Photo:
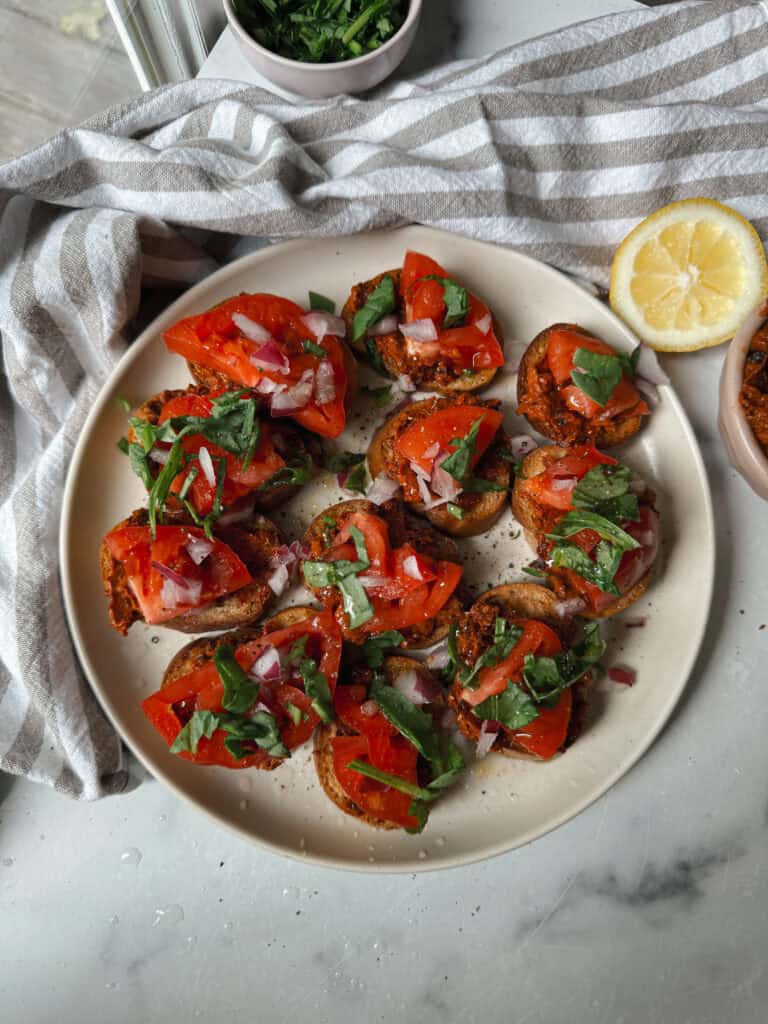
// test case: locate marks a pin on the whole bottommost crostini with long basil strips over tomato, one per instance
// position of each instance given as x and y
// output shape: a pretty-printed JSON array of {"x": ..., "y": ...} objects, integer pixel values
[{"x": 382, "y": 761}]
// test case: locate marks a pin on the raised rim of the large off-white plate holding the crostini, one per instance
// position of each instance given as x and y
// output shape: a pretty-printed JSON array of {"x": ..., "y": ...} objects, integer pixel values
[{"x": 445, "y": 862}]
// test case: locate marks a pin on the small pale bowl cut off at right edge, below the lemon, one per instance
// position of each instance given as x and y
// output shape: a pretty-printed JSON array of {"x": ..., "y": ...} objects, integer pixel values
[{"x": 743, "y": 447}]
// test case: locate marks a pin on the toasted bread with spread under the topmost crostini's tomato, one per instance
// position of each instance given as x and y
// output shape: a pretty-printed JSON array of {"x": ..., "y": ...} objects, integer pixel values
[{"x": 389, "y": 354}]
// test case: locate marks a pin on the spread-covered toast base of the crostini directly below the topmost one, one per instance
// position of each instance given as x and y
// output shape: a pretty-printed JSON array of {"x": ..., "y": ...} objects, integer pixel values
[{"x": 481, "y": 510}]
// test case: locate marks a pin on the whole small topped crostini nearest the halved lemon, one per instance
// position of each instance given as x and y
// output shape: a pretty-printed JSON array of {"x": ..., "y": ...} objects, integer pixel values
[{"x": 575, "y": 389}]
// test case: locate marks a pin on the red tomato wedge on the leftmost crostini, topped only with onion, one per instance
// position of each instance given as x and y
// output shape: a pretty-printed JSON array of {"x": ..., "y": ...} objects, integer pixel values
[{"x": 159, "y": 594}]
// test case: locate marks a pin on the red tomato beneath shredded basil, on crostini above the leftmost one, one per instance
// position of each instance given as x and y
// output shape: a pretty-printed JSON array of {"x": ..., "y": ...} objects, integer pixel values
[{"x": 239, "y": 482}]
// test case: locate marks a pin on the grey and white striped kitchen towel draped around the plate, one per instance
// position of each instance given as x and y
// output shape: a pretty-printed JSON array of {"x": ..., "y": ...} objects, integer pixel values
[{"x": 557, "y": 147}]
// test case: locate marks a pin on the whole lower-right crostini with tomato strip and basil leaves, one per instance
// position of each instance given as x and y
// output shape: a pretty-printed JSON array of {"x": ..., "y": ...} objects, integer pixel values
[{"x": 521, "y": 675}]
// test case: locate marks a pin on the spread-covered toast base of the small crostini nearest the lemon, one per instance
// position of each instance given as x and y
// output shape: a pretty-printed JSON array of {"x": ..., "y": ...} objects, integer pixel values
[{"x": 549, "y": 415}]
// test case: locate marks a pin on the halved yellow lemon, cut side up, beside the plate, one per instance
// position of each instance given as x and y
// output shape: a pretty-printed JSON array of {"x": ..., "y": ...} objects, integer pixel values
[{"x": 689, "y": 276}]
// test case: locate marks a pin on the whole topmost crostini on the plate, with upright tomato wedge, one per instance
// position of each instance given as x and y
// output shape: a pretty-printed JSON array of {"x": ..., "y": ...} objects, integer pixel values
[{"x": 420, "y": 324}]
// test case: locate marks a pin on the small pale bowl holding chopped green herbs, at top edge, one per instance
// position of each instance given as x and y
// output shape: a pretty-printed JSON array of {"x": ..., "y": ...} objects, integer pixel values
[{"x": 321, "y": 80}]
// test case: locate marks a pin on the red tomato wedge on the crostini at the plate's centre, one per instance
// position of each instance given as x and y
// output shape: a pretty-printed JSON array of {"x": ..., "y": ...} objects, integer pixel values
[{"x": 399, "y": 600}]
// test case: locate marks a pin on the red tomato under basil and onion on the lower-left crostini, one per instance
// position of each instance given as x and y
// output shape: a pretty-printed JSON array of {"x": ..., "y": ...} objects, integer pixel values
[{"x": 173, "y": 706}]
